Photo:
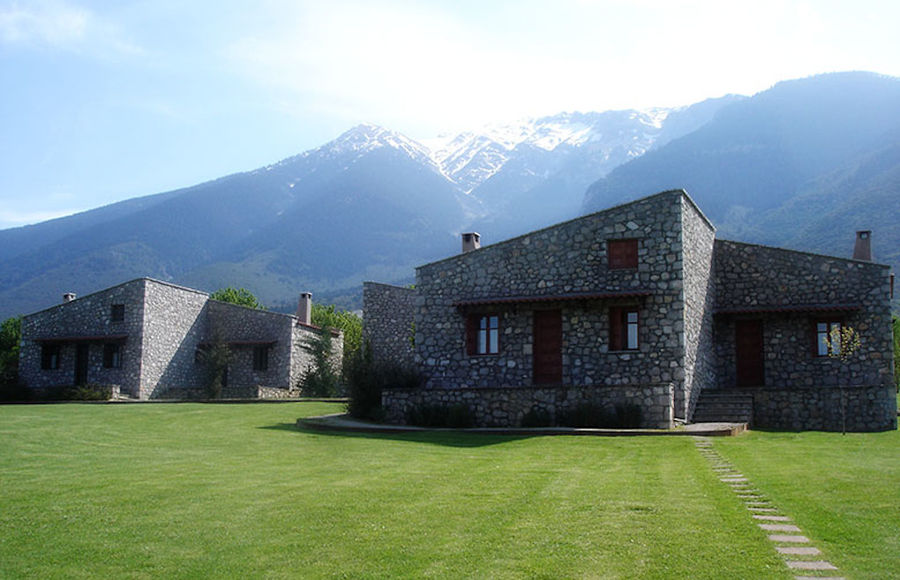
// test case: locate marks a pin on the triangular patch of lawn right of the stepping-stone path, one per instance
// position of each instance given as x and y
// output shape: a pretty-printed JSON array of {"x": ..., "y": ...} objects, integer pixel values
[{"x": 842, "y": 490}]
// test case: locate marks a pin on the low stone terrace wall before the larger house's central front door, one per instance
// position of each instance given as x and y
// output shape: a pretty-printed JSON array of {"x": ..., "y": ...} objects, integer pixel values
[{"x": 505, "y": 406}]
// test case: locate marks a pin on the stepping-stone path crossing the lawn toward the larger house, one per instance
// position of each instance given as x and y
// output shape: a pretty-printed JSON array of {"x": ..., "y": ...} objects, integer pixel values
[{"x": 788, "y": 539}]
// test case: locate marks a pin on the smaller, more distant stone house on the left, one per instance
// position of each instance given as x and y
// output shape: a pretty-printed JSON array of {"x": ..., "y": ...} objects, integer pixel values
[{"x": 147, "y": 340}]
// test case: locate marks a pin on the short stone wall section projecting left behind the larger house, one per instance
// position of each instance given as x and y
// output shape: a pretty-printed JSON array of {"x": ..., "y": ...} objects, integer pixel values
[{"x": 388, "y": 316}]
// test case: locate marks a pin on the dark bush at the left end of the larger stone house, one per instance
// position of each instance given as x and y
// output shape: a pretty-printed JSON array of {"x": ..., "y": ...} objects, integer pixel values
[{"x": 365, "y": 379}]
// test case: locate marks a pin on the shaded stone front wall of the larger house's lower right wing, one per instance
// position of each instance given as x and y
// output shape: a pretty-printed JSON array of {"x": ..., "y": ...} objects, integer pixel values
[{"x": 750, "y": 276}]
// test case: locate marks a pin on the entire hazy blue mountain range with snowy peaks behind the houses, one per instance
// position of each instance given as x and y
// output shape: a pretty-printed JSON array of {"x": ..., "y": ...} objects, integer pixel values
[{"x": 788, "y": 166}]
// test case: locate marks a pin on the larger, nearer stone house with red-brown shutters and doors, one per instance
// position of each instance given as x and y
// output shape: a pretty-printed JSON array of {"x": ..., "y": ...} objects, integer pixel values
[{"x": 640, "y": 304}]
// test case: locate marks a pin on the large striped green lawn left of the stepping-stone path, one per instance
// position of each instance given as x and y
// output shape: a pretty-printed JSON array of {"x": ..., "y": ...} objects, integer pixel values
[{"x": 224, "y": 491}]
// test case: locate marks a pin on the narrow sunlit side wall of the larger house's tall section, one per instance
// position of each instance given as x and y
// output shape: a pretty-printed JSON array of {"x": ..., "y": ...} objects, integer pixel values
[{"x": 698, "y": 239}]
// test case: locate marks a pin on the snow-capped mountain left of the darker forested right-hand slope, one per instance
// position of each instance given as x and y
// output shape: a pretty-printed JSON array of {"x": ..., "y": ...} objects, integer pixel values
[{"x": 372, "y": 204}]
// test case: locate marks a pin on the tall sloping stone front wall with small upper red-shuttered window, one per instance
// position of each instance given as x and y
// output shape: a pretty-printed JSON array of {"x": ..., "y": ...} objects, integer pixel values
[{"x": 566, "y": 258}]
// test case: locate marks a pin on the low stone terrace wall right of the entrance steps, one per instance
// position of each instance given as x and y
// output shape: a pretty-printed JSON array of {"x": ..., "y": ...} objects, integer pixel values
[{"x": 866, "y": 408}]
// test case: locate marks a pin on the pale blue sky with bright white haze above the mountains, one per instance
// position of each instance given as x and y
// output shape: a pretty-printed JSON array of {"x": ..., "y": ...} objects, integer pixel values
[{"x": 103, "y": 101}]
